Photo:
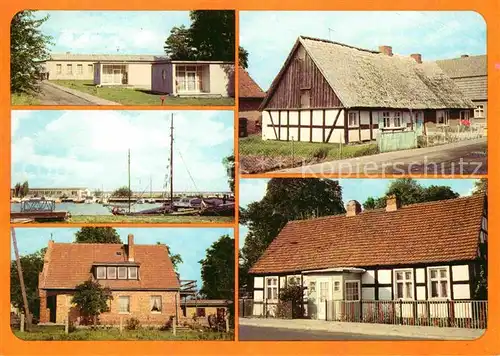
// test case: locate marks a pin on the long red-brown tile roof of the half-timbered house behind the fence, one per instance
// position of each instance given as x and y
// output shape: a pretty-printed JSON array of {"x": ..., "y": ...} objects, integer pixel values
[{"x": 440, "y": 231}]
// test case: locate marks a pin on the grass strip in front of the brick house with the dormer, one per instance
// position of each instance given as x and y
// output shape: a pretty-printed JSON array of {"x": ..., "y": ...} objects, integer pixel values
[{"x": 57, "y": 333}]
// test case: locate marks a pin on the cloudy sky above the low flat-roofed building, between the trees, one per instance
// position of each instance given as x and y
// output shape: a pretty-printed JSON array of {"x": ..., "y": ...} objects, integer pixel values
[{"x": 125, "y": 32}]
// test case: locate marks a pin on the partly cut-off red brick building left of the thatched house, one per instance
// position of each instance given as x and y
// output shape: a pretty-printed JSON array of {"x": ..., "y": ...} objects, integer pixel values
[{"x": 250, "y": 97}]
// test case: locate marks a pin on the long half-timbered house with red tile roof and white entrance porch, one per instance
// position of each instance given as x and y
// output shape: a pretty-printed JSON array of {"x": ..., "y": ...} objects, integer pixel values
[{"x": 426, "y": 255}]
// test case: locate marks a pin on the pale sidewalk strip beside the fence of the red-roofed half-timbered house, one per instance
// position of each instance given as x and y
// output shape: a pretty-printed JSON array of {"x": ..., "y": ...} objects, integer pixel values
[{"x": 430, "y": 332}]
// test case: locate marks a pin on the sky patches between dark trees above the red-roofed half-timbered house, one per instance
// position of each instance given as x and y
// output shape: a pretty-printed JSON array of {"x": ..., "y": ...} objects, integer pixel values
[{"x": 352, "y": 189}]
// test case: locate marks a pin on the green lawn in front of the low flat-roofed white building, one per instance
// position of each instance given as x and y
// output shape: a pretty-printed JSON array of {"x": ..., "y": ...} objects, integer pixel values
[{"x": 129, "y": 96}]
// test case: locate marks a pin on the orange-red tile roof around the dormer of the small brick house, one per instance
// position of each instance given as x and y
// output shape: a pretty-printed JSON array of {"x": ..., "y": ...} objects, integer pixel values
[{"x": 69, "y": 264}]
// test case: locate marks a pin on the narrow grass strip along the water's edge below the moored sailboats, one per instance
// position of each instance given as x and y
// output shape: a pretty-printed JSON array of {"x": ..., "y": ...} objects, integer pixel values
[{"x": 103, "y": 219}]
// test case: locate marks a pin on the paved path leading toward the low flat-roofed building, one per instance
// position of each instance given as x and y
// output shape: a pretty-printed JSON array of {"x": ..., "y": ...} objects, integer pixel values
[{"x": 54, "y": 94}]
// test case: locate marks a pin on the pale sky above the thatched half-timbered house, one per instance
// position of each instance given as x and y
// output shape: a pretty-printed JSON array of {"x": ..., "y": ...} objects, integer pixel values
[{"x": 269, "y": 36}]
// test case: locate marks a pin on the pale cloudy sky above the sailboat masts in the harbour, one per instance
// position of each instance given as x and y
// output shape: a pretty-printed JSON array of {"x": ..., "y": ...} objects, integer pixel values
[{"x": 89, "y": 148}]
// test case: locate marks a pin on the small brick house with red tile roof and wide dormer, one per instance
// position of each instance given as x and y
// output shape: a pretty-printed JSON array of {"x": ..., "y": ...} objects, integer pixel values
[{"x": 142, "y": 279}]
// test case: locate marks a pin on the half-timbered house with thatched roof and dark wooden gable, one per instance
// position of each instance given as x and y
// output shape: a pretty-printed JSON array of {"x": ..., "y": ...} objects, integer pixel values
[{"x": 331, "y": 92}]
